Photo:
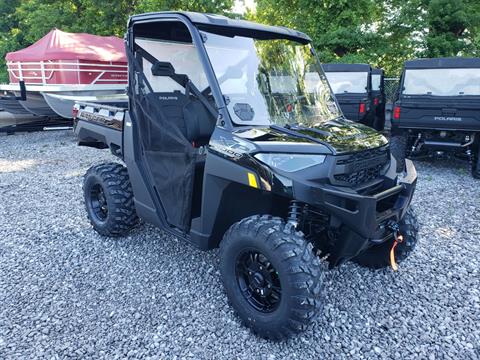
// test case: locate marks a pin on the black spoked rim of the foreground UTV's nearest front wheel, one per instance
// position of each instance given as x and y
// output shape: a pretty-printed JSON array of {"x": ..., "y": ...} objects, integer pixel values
[{"x": 258, "y": 281}]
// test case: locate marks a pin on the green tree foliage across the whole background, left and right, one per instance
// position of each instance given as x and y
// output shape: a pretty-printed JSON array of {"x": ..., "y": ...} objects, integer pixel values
[{"x": 383, "y": 33}]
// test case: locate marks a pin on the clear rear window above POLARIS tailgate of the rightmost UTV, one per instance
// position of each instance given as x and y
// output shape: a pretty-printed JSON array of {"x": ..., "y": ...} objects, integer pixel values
[{"x": 442, "y": 82}]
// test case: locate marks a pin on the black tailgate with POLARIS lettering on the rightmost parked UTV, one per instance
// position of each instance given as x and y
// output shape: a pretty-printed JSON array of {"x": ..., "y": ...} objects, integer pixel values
[{"x": 446, "y": 113}]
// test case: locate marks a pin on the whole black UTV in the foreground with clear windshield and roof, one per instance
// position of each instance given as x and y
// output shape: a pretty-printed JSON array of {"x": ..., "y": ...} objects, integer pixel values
[{"x": 222, "y": 151}]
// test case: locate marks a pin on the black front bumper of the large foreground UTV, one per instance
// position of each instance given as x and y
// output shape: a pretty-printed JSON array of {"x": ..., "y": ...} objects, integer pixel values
[{"x": 361, "y": 219}]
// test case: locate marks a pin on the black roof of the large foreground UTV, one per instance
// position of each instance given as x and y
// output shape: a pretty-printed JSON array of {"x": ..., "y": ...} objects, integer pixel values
[{"x": 225, "y": 26}]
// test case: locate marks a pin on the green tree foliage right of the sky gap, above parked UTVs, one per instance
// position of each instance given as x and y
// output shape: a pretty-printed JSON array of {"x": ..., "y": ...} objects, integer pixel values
[{"x": 383, "y": 33}]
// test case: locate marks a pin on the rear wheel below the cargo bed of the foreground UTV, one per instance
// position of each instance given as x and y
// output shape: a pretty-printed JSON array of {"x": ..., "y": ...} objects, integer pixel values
[{"x": 109, "y": 199}]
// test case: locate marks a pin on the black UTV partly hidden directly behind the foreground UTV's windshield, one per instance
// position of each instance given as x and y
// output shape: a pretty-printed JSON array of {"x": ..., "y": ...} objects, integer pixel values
[{"x": 352, "y": 86}]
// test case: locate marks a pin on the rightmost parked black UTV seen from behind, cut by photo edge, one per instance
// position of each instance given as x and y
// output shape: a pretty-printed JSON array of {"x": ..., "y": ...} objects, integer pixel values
[{"x": 437, "y": 110}]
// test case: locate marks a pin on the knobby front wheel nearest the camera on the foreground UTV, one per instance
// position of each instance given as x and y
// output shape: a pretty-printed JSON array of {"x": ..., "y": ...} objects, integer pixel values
[{"x": 271, "y": 275}]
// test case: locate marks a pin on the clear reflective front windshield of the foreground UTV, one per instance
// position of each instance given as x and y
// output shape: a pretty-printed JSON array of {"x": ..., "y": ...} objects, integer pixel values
[{"x": 270, "y": 81}]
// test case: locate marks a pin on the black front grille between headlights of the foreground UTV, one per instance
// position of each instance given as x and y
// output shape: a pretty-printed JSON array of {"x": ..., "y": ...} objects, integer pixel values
[{"x": 362, "y": 167}]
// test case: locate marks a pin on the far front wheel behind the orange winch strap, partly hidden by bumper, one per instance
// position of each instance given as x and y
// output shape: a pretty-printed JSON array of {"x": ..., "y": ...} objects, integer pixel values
[{"x": 378, "y": 256}]
